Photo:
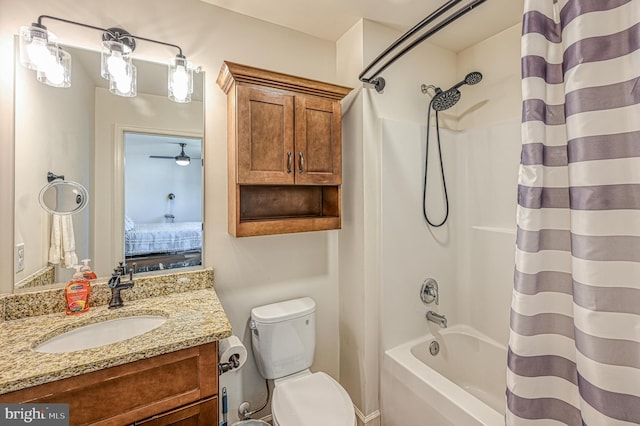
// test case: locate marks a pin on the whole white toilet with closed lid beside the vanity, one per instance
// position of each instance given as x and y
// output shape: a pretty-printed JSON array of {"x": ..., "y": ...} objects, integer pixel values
[{"x": 284, "y": 339}]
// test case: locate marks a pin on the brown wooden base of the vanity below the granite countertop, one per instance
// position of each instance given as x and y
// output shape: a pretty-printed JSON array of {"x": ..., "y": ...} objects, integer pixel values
[{"x": 177, "y": 388}]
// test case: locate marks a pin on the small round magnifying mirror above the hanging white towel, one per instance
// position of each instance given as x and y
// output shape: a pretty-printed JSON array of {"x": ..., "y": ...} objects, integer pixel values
[{"x": 63, "y": 197}]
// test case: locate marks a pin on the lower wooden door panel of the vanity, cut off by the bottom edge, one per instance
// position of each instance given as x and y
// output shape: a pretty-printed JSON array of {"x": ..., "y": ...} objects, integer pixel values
[{"x": 203, "y": 413}]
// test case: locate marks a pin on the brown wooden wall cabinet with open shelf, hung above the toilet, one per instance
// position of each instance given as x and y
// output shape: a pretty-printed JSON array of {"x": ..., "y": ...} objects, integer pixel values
[{"x": 284, "y": 151}]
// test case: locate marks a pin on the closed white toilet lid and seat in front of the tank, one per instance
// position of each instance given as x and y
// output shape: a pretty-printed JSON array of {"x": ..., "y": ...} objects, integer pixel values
[{"x": 312, "y": 400}]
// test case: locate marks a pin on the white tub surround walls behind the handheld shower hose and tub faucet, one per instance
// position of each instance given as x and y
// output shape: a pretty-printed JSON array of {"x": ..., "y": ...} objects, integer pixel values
[{"x": 471, "y": 256}]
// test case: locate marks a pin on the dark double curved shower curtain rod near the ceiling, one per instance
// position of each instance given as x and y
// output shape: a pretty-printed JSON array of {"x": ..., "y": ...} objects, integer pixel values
[{"x": 378, "y": 82}]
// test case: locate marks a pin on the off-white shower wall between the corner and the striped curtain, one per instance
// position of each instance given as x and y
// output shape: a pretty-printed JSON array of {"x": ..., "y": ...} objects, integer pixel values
[{"x": 489, "y": 147}]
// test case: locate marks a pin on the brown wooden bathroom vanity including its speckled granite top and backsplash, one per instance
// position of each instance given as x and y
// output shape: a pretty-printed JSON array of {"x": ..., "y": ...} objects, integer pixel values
[{"x": 168, "y": 375}]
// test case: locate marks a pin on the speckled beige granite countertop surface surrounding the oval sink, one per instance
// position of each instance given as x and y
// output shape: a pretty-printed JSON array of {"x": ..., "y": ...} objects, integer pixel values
[{"x": 194, "y": 317}]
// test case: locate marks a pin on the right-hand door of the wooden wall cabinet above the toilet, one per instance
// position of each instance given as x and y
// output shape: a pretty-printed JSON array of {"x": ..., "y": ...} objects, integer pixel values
[{"x": 318, "y": 141}]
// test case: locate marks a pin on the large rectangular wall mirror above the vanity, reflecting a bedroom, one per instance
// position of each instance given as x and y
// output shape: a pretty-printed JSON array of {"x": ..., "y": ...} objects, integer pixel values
[{"x": 79, "y": 132}]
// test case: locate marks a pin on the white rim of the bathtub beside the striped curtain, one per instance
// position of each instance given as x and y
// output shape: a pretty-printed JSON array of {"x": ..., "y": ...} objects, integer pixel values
[{"x": 459, "y": 397}]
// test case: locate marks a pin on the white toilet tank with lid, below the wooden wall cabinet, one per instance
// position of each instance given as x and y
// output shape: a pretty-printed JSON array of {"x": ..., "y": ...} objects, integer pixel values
[{"x": 283, "y": 337}]
